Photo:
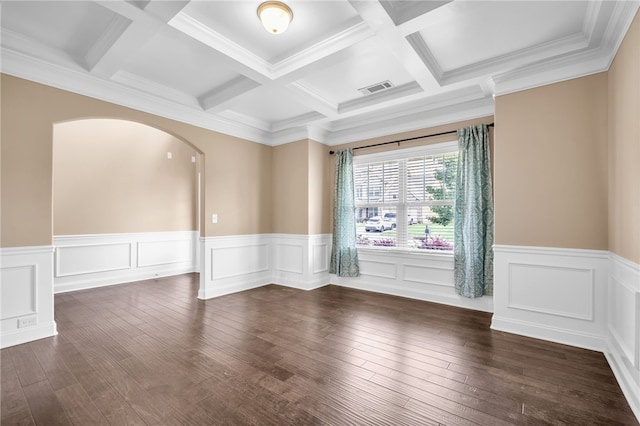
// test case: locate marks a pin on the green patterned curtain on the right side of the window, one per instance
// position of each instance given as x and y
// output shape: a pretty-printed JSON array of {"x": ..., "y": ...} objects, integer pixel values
[{"x": 473, "y": 215}]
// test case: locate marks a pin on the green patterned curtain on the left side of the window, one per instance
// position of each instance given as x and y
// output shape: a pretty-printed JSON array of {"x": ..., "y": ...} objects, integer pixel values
[{"x": 344, "y": 254}]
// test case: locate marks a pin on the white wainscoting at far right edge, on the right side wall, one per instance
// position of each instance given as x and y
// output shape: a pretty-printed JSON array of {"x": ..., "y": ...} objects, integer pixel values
[{"x": 623, "y": 338}]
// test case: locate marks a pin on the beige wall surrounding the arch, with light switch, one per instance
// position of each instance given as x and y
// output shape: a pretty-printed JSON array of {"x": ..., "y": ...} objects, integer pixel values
[{"x": 236, "y": 181}]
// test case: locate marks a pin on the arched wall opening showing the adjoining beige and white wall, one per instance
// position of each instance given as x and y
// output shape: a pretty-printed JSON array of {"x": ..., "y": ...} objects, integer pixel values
[{"x": 125, "y": 203}]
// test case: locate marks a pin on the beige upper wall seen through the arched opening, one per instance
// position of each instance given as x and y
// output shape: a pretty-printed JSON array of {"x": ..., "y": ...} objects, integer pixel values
[{"x": 113, "y": 176}]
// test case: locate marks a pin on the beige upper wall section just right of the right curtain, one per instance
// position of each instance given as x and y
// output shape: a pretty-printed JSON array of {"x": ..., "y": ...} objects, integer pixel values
[{"x": 551, "y": 165}]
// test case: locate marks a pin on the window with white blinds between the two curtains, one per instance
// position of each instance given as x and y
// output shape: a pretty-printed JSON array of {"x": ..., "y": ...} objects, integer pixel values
[{"x": 405, "y": 198}]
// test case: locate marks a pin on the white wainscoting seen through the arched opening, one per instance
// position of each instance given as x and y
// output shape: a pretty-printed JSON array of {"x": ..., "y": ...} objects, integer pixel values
[{"x": 87, "y": 261}]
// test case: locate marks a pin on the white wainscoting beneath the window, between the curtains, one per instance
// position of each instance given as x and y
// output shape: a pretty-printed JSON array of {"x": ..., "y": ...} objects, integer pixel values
[{"x": 419, "y": 275}]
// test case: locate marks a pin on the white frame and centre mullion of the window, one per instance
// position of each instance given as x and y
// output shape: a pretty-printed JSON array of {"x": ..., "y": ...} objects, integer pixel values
[{"x": 401, "y": 212}]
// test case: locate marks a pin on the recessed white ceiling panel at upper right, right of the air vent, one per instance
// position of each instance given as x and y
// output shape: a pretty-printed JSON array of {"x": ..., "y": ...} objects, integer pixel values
[{"x": 464, "y": 33}]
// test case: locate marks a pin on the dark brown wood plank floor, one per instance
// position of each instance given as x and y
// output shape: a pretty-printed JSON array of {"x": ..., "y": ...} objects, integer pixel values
[{"x": 151, "y": 353}]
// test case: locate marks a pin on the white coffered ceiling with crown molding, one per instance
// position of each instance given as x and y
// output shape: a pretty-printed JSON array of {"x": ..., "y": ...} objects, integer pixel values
[{"x": 212, "y": 64}]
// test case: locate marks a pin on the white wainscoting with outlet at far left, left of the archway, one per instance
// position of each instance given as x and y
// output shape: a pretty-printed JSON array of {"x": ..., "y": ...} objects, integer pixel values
[{"x": 26, "y": 293}]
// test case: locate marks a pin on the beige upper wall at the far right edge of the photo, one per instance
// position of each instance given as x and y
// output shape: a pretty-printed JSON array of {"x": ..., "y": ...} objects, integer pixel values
[{"x": 624, "y": 147}]
